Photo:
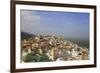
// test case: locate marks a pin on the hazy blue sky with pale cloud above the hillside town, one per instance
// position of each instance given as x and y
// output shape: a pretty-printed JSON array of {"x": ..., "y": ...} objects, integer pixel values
[{"x": 67, "y": 24}]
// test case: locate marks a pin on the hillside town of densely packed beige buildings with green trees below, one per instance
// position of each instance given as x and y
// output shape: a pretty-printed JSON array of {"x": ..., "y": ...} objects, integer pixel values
[{"x": 47, "y": 48}]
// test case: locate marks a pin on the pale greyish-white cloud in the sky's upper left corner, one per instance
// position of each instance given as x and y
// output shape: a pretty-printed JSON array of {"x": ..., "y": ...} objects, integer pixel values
[{"x": 29, "y": 19}]
